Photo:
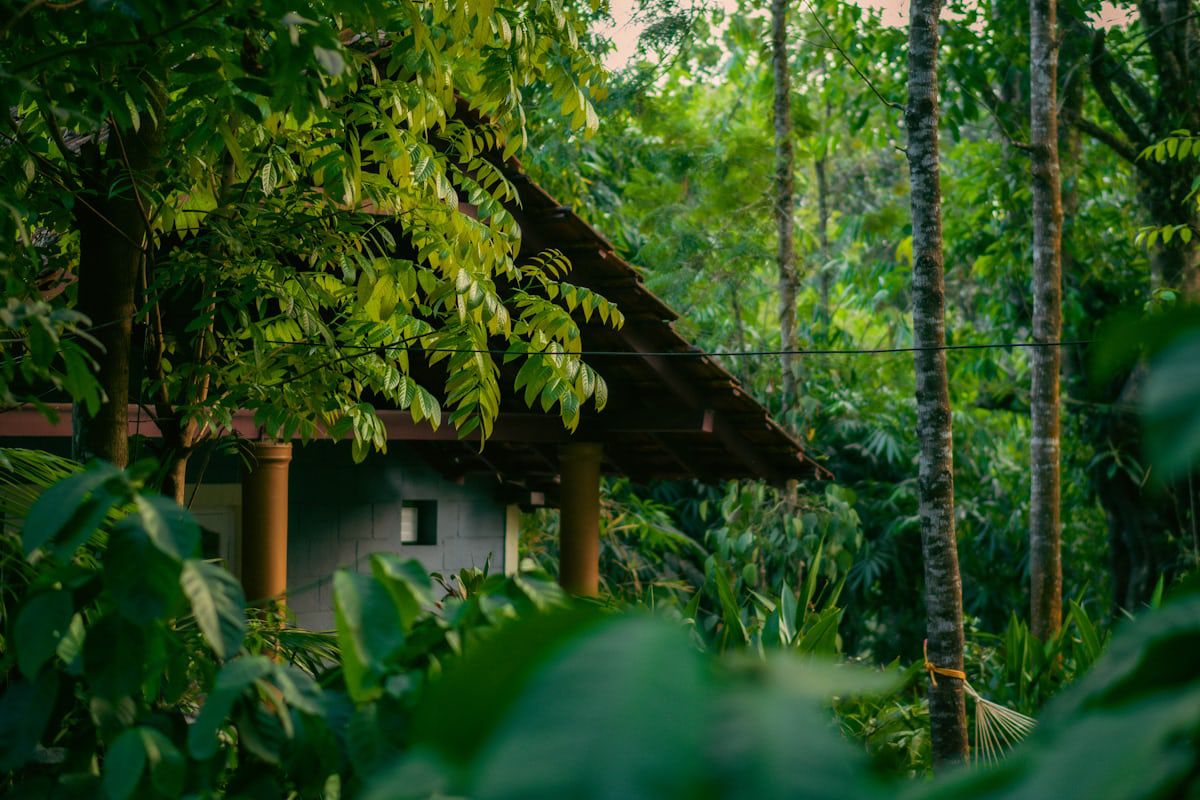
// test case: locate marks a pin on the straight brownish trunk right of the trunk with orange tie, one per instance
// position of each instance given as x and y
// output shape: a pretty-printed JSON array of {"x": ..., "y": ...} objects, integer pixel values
[{"x": 1046, "y": 527}]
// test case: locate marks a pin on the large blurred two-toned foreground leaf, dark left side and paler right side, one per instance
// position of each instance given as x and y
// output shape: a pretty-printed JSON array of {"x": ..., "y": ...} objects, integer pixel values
[{"x": 614, "y": 708}]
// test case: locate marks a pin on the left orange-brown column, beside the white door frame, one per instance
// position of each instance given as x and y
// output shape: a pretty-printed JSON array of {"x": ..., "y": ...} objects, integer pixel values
[{"x": 265, "y": 522}]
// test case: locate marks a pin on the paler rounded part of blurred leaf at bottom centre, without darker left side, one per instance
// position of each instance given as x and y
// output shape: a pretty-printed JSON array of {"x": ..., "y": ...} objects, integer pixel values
[{"x": 621, "y": 713}]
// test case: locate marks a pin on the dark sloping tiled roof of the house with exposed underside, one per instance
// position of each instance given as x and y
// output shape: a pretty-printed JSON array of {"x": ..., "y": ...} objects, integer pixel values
[{"x": 674, "y": 412}]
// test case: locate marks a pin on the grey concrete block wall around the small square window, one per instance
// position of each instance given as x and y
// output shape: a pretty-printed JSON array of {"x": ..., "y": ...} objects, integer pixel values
[{"x": 341, "y": 513}]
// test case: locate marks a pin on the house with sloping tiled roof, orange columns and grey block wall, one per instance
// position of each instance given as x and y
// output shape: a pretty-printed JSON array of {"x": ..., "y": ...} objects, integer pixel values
[{"x": 307, "y": 510}]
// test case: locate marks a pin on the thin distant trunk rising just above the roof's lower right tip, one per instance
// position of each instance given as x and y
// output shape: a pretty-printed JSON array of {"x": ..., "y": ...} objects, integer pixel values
[{"x": 785, "y": 191}]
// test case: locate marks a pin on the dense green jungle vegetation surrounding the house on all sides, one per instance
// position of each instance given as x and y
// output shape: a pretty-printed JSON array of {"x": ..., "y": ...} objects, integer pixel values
[{"x": 956, "y": 256}]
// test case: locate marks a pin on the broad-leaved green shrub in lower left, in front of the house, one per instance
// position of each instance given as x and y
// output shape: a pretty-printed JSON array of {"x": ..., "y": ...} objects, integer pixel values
[{"x": 130, "y": 667}]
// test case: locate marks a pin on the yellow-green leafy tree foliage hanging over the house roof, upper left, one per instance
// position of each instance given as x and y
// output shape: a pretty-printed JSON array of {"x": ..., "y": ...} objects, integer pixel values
[{"x": 329, "y": 228}]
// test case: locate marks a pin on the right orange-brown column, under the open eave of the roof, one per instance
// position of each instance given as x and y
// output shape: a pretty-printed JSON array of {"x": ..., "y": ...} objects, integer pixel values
[{"x": 579, "y": 530}]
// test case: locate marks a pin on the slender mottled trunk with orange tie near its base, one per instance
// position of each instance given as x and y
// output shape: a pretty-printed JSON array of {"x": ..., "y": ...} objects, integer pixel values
[{"x": 944, "y": 586}]
